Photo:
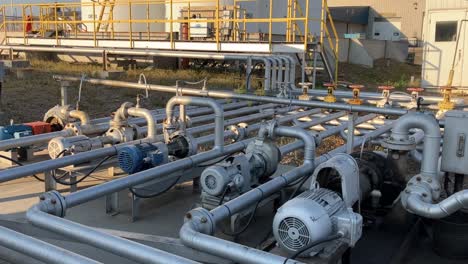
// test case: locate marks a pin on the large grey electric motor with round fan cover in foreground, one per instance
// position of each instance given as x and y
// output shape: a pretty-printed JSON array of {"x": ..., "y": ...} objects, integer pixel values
[{"x": 313, "y": 216}]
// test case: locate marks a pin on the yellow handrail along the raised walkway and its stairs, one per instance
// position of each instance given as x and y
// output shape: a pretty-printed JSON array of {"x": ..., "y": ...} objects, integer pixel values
[{"x": 297, "y": 19}]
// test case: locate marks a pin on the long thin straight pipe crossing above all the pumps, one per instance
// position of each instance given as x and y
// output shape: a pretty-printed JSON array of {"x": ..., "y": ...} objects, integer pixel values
[{"x": 231, "y": 95}]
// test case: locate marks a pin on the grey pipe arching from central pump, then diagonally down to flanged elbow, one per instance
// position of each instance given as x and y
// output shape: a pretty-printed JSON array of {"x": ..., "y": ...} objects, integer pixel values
[{"x": 201, "y": 223}]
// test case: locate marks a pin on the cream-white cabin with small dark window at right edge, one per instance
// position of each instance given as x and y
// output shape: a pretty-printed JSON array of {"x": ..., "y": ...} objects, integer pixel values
[{"x": 445, "y": 44}]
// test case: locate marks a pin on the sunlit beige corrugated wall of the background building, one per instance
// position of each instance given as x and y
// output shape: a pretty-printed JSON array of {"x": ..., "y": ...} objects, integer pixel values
[{"x": 410, "y": 11}]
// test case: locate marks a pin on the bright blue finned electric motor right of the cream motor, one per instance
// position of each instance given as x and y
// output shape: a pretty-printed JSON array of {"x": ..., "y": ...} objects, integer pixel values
[{"x": 136, "y": 158}]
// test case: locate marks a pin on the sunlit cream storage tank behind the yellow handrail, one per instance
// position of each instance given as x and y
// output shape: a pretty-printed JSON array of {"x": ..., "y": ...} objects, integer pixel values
[{"x": 139, "y": 11}]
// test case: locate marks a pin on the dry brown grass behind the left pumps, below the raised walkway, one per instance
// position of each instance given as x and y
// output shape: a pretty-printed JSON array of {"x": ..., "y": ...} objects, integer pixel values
[{"x": 28, "y": 99}]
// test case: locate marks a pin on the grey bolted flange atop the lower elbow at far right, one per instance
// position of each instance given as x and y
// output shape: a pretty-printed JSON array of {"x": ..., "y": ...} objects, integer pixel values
[{"x": 425, "y": 187}]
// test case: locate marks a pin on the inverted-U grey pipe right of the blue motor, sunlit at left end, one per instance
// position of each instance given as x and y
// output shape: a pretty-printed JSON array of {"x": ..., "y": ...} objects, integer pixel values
[{"x": 217, "y": 108}]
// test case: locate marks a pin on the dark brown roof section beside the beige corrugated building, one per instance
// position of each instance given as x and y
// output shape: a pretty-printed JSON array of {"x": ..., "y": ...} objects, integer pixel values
[{"x": 351, "y": 14}]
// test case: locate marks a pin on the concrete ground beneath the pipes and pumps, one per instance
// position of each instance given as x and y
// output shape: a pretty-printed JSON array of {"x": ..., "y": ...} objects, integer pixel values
[{"x": 161, "y": 218}]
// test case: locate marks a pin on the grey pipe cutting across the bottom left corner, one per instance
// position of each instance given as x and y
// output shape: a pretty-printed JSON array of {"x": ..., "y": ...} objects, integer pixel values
[{"x": 40, "y": 250}]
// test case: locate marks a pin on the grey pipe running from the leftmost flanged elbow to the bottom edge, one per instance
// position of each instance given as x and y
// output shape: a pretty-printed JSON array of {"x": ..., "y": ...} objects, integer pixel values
[{"x": 119, "y": 246}]
